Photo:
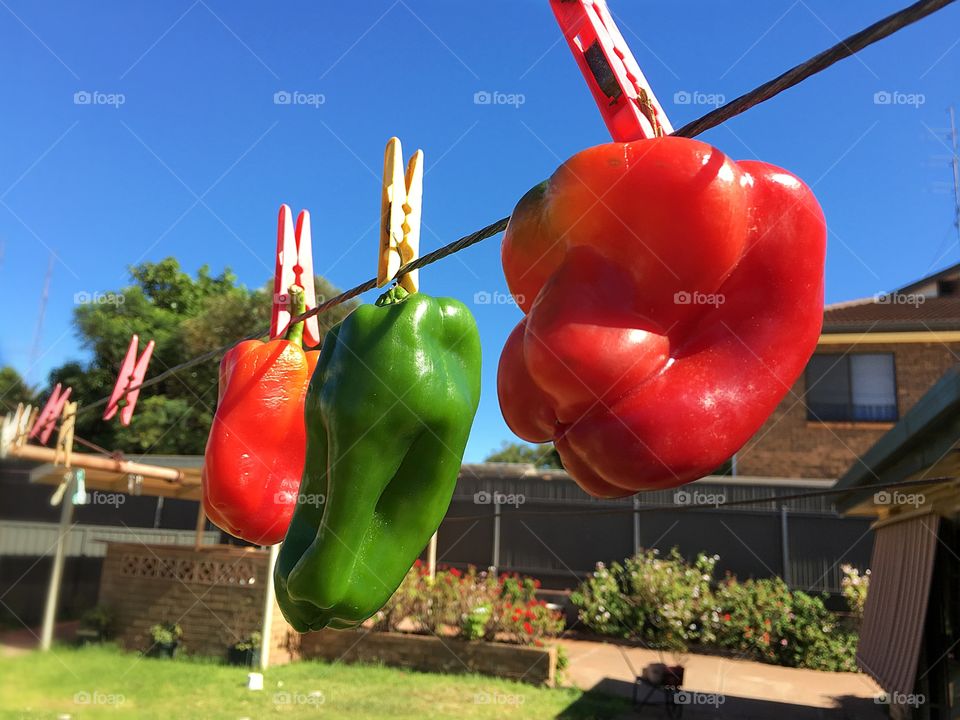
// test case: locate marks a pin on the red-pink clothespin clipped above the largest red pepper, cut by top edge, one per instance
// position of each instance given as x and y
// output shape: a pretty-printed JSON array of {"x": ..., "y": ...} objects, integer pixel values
[{"x": 626, "y": 101}]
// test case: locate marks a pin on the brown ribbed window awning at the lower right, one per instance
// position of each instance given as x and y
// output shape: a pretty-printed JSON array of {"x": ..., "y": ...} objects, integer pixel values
[{"x": 896, "y": 608}]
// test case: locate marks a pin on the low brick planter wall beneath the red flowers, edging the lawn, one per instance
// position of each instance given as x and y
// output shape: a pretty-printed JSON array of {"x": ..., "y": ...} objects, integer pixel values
[{"x": 429, "y": 653}]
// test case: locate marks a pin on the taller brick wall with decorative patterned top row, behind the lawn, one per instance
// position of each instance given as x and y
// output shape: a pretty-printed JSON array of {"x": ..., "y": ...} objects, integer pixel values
[{"x": 215, "y": 594}]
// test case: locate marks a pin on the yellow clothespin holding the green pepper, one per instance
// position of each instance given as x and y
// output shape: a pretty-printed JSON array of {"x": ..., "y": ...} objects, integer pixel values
[{"x": 400, "y": 211}]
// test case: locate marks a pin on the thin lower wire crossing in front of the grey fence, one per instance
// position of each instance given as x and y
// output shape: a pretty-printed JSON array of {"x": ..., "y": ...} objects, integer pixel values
[{"x": 691, "y": 506}]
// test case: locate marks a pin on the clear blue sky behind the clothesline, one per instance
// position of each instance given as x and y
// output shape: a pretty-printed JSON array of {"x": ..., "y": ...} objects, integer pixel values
[{"x": 198, "y": 158}]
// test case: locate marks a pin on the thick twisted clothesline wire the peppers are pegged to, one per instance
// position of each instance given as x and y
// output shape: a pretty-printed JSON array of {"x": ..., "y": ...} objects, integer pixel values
[{"x": 843, "y": 49}]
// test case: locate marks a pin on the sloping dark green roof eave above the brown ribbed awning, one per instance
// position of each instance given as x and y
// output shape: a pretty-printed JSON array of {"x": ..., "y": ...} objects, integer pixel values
[{"x": 923, "y": 444}]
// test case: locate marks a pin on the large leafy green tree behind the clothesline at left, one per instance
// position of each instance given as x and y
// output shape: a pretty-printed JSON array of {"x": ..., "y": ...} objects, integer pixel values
[{"x": 185, "y": 316}]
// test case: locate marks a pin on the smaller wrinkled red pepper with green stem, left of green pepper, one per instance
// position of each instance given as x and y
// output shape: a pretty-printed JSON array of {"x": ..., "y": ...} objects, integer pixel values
[{"x": 254, "y": 457}]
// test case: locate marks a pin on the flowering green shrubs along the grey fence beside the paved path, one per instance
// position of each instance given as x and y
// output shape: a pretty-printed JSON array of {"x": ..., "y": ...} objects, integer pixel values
[{"x": 671, "y": 604}]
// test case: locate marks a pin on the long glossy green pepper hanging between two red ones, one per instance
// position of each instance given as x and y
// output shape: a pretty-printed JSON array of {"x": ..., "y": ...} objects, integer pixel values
[{"x": 388, "y": 412}]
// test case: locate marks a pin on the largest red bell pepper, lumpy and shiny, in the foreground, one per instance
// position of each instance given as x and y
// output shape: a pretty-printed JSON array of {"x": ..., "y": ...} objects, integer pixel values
[{"x": 672, "y": 298}]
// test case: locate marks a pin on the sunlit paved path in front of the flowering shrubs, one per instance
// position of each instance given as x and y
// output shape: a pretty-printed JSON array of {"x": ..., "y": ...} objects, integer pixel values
[{"x": 723, "y": 687}]
